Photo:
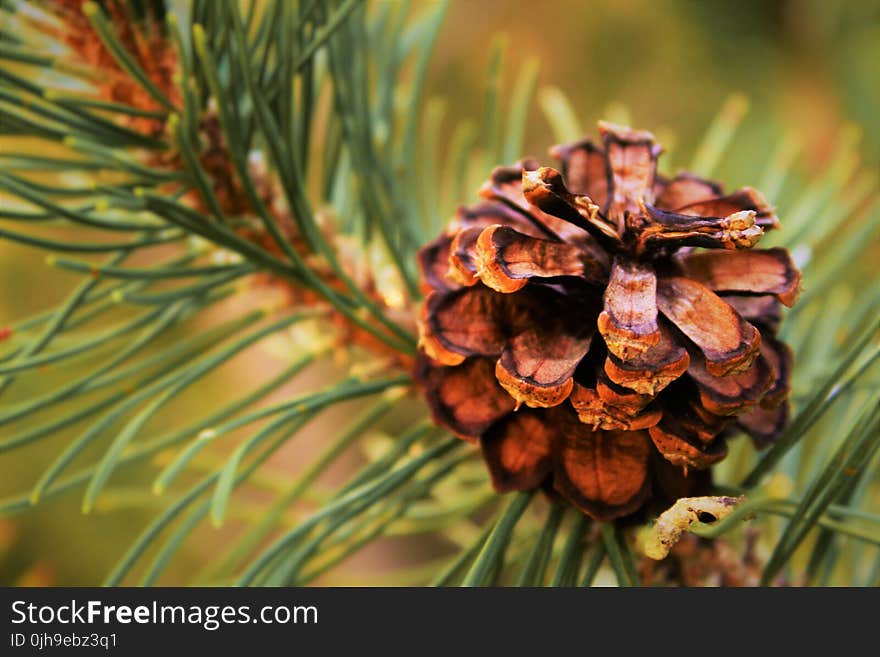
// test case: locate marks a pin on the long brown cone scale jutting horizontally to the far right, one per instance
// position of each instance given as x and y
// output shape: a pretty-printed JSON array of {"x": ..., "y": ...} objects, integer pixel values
[{"x": 760, "y": 271}]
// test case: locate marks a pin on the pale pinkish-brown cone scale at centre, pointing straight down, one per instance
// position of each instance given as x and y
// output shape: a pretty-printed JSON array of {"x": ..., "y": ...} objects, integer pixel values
[{"x": 629, "y": 319}]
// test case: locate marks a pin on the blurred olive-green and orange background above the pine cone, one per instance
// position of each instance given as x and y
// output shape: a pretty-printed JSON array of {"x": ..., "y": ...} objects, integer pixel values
[{"x": 805, "y": 65}]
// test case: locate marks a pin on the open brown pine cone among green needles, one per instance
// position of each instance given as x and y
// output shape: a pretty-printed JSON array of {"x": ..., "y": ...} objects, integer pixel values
[{"x": 582, "y": 297}]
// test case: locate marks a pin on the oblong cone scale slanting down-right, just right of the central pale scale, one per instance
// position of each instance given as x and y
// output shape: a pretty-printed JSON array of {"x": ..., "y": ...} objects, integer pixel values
[{"x": 728, "y": 342}]
